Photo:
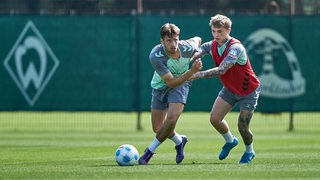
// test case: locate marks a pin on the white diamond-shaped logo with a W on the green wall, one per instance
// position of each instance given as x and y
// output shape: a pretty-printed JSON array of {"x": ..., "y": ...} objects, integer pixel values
[{"x": 31, "y": 63}]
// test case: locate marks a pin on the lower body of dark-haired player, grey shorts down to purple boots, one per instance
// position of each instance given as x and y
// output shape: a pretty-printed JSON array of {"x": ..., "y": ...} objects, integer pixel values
[{"x": 160, "y": 100}]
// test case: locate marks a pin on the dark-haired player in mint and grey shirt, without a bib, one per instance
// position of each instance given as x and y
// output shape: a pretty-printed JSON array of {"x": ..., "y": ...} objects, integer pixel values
[{"x": 170, "y": 87}]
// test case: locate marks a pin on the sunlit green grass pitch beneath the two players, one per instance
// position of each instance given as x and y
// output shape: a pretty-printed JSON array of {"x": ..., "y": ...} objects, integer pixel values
[{"x": 66, "y": 145}]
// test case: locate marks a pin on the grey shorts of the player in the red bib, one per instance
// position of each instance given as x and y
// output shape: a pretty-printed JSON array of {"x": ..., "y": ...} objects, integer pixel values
[{"x": 248, "y": 102}]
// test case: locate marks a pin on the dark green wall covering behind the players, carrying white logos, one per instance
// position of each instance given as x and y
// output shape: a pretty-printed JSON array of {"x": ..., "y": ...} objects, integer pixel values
[{"x": 101, "y": 63}]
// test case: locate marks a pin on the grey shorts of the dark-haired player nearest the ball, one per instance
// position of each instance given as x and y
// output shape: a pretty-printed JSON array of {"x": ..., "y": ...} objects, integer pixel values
[{"x": 162, "y": 97}]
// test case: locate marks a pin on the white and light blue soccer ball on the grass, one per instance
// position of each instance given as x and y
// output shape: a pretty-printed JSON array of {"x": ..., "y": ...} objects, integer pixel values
[{"x": 127, "y": 155}]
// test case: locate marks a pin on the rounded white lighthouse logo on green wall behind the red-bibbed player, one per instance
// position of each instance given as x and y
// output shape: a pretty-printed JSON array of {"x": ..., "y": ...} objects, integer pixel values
[{"x": 271, "y": 47}]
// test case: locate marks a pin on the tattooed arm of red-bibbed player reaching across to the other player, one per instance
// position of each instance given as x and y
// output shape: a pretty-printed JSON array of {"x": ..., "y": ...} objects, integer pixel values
[{"x": 216, "y": 71}]
